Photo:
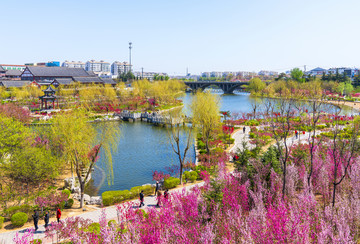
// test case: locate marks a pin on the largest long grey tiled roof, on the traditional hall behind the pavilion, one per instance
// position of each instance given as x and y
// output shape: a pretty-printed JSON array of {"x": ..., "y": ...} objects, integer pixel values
[{"x": 57, "y": 71}]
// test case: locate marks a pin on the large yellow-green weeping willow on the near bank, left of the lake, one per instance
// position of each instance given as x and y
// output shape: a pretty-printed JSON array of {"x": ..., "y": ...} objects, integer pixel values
[{"x": 82, "y": 142}]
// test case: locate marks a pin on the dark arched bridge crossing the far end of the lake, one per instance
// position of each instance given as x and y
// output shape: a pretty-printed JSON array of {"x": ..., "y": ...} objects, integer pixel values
[{"x": 227, "y": 87}]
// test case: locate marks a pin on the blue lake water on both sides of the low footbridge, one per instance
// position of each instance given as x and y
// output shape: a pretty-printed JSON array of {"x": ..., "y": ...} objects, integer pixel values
[{"x": 144, "y": 148}]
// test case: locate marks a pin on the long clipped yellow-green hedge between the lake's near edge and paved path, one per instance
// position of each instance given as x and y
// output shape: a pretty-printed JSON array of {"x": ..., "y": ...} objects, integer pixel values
[{"x": 113, "y": 197}]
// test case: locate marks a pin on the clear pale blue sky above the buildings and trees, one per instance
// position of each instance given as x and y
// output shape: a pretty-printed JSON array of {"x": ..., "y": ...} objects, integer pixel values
[{"x": 171, "y": 35}]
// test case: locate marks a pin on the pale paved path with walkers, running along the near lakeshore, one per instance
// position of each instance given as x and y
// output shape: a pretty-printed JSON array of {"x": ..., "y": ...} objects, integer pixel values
[{"x": 150, "y": 201}]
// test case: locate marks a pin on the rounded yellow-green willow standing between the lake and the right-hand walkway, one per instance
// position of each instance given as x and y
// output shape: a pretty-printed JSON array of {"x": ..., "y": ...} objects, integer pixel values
[{"x": 205, "y": 112}]
